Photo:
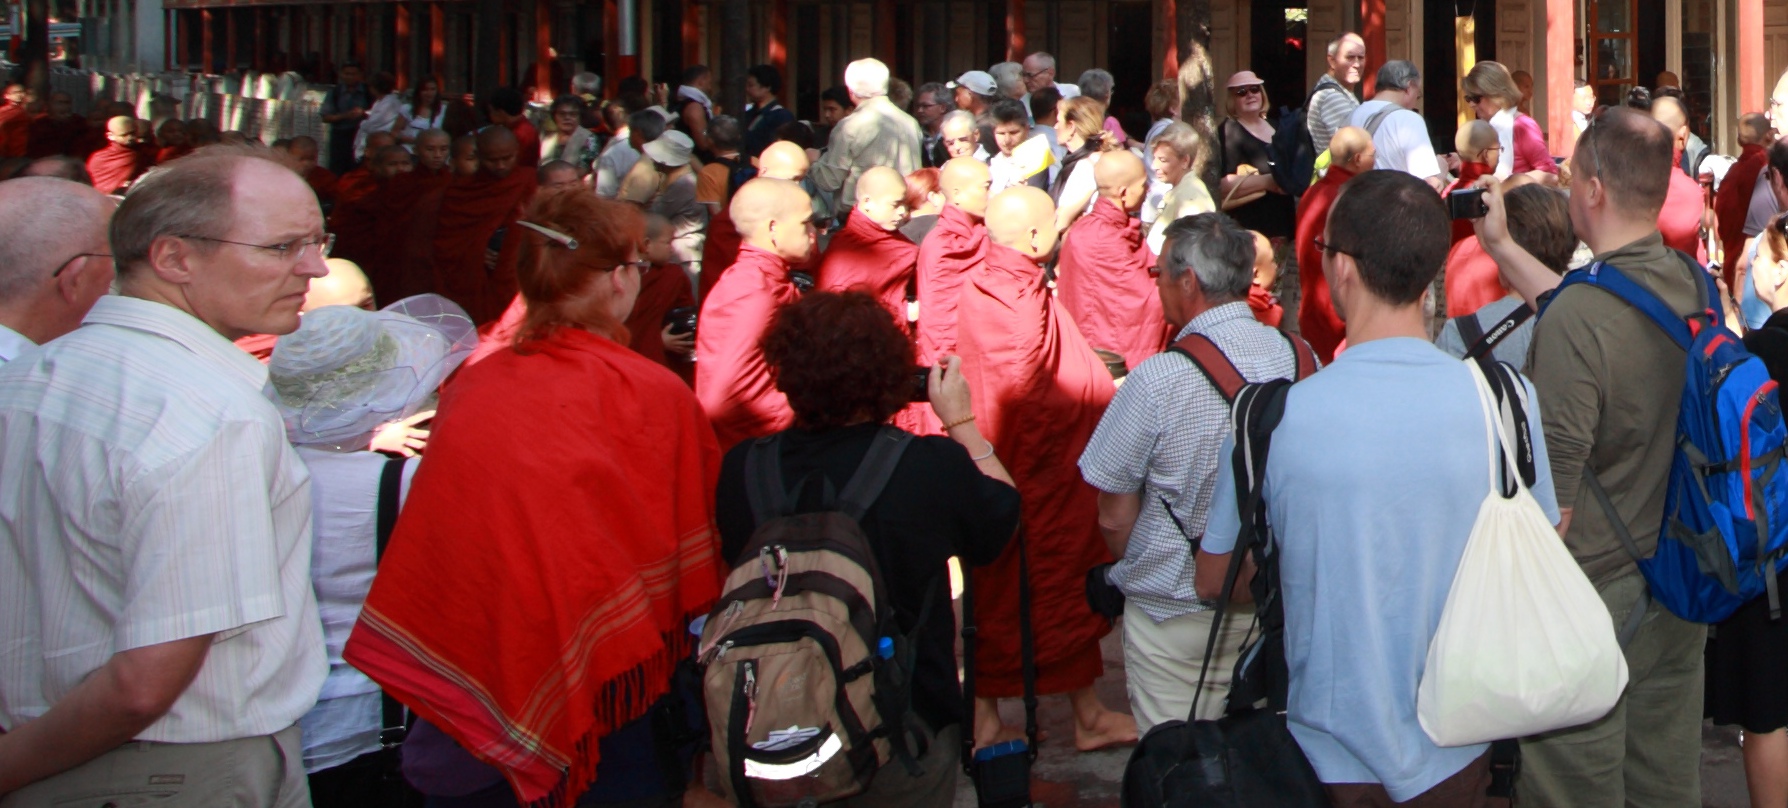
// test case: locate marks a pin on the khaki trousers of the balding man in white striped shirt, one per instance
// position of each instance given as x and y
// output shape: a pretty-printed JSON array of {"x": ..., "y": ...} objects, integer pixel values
[{"x": 266, "y": 771}]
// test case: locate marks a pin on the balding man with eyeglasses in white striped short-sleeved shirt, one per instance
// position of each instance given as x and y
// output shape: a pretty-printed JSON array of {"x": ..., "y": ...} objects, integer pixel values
[{"x": 158, "y": 627}]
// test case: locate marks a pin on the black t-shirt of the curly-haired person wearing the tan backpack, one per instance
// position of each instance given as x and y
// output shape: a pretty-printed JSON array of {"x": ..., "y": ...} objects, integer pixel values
[{"x": 936, "y": 505}]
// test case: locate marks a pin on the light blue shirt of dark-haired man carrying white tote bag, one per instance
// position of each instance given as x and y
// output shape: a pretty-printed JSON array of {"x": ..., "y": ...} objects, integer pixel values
[{"x": 1374, "y": 484}]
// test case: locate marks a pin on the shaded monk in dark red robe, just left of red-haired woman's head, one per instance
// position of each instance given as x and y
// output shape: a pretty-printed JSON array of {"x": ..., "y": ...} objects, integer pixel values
[{"x": 475, "y": 262}]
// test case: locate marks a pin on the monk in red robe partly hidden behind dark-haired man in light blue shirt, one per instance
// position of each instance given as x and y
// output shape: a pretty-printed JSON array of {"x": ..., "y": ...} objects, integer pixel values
[{"x": 1351, "y": 153}]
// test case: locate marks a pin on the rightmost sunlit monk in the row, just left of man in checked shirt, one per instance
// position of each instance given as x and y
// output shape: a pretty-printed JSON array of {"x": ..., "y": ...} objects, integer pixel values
[{"x": 1102, "y": 276}]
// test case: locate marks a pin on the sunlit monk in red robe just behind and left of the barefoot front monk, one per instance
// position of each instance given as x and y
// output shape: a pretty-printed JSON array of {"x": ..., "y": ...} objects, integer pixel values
[{"x": 950, "y": 253}]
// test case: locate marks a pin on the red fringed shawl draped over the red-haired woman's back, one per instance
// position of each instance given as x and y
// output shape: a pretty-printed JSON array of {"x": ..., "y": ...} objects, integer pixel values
[{"x": 536, "y": 612}]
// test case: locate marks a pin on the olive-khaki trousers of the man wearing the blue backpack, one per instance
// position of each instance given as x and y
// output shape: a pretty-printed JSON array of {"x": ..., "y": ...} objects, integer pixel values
[{"x": 1646, "y": 753}]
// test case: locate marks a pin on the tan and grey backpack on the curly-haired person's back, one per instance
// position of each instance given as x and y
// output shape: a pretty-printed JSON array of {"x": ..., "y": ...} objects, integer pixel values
[{"x": 809, "y": 680}]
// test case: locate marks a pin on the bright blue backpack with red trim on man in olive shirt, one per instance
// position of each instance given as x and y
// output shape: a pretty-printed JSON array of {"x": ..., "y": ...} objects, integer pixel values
[{"x": 1725, "y": 532}]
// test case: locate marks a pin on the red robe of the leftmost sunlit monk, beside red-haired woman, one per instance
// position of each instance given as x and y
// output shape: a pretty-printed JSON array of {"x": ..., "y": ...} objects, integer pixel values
[{"x": 732, "y": 380}]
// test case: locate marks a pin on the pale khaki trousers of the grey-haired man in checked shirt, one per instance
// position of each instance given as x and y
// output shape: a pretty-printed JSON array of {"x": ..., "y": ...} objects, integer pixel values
[{"x": 1163, "y": 661}]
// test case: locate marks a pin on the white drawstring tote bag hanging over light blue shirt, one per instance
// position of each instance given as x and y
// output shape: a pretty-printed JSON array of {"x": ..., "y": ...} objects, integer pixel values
[{"x": 1524, "y": 644}]
